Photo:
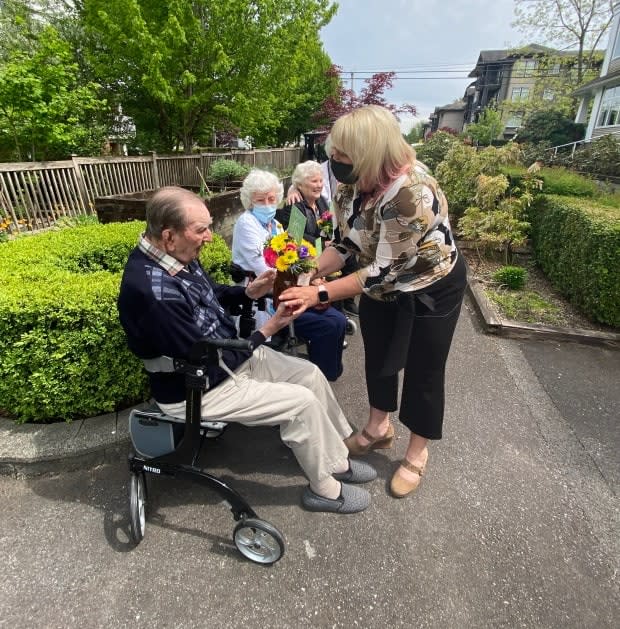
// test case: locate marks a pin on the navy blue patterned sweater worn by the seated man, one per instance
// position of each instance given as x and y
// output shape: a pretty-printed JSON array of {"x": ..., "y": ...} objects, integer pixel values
[{"x": 164, "y": 315}]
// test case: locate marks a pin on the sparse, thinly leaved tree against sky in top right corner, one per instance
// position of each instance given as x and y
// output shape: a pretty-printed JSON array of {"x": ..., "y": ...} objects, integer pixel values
[{"x": 579, "y": 25}]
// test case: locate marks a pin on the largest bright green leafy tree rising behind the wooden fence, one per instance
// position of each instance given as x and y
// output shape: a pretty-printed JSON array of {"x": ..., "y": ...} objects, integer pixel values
[{"x": 182, "y": 70}]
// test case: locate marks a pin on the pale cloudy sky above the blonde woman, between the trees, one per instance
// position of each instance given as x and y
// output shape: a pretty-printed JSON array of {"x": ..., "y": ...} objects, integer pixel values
[{"x": 443, "y": 37}]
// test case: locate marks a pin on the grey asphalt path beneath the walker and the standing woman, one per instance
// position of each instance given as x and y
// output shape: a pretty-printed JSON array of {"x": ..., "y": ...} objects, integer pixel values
[{"x": 516, "y": 524}]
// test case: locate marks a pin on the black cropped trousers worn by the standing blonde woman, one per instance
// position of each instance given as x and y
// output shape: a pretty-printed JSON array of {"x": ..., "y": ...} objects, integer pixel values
[{"x": 413, "y": 333}]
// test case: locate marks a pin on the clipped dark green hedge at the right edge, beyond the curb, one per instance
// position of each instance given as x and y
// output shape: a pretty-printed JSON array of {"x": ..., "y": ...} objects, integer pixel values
[{"x": 577, "y": 244}]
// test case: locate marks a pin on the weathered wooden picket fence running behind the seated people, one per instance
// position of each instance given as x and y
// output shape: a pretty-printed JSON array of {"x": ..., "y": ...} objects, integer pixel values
[{"x": 33, "y": 195}]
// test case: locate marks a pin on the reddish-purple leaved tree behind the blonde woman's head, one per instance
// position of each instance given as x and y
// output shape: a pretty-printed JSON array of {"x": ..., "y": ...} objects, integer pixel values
[{"x": 344, "y": 100}]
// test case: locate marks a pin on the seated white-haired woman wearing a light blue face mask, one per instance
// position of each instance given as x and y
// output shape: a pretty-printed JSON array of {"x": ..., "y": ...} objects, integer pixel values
[{"x": 323, "y": 330}]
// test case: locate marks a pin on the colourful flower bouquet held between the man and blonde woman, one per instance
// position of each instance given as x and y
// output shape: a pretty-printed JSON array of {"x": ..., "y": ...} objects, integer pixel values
[{"x": 292, "y": 260}]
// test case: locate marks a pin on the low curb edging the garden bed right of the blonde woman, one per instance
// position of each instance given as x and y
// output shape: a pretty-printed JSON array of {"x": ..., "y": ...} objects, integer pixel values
[{"x": 494, "y": 324}]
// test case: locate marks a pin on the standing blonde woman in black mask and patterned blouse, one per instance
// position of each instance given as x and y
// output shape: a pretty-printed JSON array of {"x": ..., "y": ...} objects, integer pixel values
[{"x": 392, "y": 214}]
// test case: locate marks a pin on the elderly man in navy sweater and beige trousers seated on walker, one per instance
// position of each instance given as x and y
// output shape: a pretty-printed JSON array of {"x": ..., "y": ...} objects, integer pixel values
[{"x": 167, "y": 302}]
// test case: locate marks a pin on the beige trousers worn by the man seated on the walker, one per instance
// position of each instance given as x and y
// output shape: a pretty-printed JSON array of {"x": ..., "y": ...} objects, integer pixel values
[{"x": 273, "y": 389}]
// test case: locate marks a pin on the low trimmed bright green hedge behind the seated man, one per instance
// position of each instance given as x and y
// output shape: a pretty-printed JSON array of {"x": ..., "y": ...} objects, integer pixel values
[{"x": 63, "y": 354}]
